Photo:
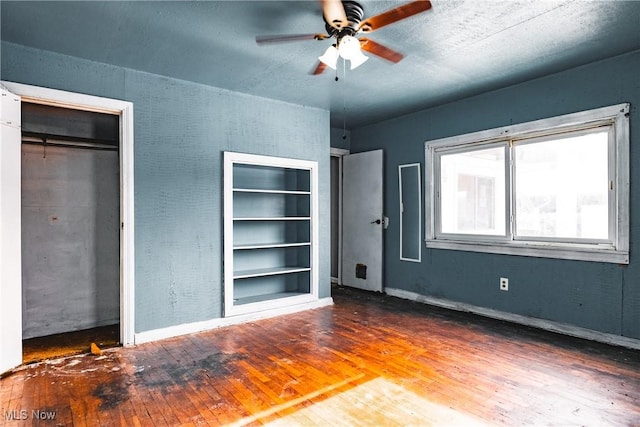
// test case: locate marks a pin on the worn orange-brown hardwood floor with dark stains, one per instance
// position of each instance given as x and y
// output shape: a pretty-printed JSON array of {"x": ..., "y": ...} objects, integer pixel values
[{"x": 368, "y": 360}]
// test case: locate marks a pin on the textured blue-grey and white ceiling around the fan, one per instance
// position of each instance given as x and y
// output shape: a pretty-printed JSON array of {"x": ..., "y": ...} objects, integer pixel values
[{"x": 457, "y": 49}]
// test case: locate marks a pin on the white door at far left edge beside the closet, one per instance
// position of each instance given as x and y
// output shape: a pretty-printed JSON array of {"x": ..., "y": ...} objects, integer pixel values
[{"x": 10, "y": 233}]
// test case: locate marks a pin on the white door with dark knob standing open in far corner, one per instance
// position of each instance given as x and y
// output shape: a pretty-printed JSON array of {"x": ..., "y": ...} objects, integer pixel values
[{"x": 363, "y": 220}]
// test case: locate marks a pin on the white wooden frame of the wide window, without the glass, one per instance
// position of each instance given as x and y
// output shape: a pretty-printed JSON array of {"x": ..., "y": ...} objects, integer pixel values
[{"x": 616, "y": 251}]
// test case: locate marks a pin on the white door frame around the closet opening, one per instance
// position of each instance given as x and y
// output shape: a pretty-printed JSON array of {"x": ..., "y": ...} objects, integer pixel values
[{"x": 123, "y": 109}]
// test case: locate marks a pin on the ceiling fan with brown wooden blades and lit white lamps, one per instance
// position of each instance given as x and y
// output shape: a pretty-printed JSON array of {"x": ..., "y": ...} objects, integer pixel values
[{"x": 344, "y": 22}]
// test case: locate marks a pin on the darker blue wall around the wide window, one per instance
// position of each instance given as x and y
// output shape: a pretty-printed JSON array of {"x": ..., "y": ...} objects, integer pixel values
[{"x": 598, "y": 296}]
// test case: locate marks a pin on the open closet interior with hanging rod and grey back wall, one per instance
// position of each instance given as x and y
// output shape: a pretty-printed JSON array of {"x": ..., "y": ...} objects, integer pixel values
[{"x": 70, "y": 213}]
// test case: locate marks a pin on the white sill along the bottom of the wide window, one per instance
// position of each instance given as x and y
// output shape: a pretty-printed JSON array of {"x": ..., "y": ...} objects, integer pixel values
[{"x": 536, "y": 250}]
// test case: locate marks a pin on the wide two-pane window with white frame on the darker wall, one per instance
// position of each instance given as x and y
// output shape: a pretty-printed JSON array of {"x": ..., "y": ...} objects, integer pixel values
[{"x": 555, "y": 188}]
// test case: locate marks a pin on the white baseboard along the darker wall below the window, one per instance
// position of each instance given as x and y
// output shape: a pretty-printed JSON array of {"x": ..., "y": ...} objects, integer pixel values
[{"x": 548, "y": 325}]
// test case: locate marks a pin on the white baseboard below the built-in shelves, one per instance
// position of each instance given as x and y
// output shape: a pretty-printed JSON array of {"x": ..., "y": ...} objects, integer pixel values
[{"x": 190, "y": 328}]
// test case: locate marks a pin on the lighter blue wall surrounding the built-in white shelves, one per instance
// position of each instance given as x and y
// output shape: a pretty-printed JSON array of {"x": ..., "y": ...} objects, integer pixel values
[{"x": 181, "y": 130}]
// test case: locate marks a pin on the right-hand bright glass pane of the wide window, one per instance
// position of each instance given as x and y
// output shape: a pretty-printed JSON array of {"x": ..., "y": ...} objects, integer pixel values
[{"x": 562, "y": 188}]
